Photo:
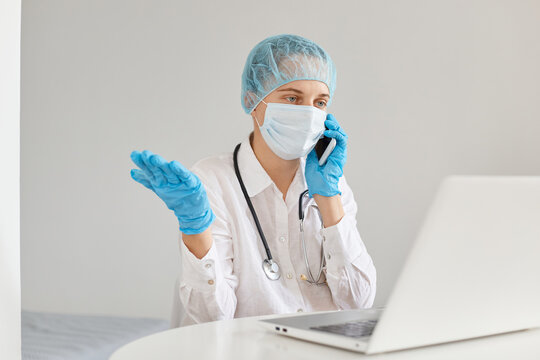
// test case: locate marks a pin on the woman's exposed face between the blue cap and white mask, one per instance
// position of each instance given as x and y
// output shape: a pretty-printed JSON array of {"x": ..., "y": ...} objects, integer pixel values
[{"x": 299, "y": 92}]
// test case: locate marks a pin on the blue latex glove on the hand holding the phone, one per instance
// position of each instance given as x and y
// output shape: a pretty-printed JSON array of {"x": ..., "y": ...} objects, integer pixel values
[{"x": 324, "y": 179}]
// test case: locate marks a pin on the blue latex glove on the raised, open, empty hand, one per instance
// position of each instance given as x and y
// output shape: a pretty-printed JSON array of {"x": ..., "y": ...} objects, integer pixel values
[{"x": 179, "y": 188}]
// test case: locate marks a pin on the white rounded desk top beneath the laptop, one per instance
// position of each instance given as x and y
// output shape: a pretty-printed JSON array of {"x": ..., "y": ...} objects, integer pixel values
[{"x": 243, "y": 338}]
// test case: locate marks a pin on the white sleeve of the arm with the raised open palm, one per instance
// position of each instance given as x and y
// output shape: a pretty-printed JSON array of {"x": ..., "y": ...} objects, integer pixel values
[{"x": 207, "y": 286}]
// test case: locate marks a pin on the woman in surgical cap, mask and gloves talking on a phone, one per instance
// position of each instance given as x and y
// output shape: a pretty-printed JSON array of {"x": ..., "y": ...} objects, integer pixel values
[{"x": 242, "y": 249}]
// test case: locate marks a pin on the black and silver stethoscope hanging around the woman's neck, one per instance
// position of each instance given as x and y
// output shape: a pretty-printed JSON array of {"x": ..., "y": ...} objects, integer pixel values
[{"x": 269, "y": 265}]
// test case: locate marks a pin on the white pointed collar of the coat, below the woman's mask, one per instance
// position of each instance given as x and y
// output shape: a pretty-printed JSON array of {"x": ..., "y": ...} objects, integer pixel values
[{"x": 256, "y": 179}]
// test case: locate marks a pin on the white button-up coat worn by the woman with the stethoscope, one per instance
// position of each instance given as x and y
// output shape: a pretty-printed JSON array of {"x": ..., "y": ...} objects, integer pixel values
[{"x": 229, "y": 281}]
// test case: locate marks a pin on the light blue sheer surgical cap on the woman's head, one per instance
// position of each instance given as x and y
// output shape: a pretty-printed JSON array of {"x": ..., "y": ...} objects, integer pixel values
[{"x": 280, "y": 59}]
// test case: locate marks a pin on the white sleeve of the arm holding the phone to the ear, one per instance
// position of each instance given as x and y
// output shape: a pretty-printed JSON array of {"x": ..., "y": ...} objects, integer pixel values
[{"x": 350, "y": 271}]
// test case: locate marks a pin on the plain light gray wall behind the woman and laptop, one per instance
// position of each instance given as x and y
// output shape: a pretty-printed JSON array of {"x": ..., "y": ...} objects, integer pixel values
[{"x": 425, "y": 89}]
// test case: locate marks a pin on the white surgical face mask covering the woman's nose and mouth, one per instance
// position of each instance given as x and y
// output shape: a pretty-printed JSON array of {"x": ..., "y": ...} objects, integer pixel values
[{"x": 291, "y": 131}]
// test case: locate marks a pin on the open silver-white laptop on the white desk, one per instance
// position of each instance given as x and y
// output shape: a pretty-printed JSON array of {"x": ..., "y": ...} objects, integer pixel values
[{"x": 473, "y": 271}]
